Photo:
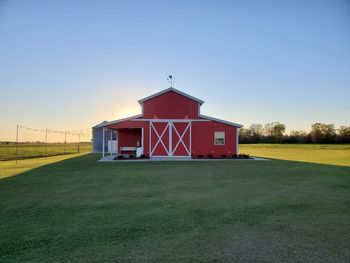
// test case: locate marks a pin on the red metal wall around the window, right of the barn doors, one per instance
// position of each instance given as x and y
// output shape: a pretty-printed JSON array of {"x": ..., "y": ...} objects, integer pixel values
[{"x": 203, "y": 139}]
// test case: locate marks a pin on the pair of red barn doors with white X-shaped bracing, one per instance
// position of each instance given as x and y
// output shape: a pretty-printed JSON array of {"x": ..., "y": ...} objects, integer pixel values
[{"x": 170, "y": 139}]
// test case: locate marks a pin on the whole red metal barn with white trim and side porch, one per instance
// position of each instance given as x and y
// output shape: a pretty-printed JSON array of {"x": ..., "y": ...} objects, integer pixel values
[{"x": 170, "y": 125}]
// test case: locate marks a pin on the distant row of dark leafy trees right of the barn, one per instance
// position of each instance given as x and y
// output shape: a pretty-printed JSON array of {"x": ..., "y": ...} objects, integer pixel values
[{"x": 274, "y": 132}]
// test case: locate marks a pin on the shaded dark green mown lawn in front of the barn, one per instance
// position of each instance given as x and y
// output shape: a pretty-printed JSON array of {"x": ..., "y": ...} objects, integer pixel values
[{"x": 79, "y": 210}]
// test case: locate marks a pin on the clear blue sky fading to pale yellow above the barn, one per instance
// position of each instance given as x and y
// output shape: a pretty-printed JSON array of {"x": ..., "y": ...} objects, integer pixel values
[{"x": 72, "y": 64}]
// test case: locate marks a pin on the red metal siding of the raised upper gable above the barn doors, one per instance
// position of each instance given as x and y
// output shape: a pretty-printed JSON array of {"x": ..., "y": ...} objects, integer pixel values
[{"x": 170, "y": 105}]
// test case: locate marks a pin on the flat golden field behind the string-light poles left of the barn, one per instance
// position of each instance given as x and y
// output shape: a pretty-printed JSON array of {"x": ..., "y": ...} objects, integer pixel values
[{"x": 37, "y": 150}]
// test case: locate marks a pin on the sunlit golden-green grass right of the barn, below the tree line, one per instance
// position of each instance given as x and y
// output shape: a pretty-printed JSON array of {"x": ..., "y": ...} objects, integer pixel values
[{"x": 336, "y": 154}]
